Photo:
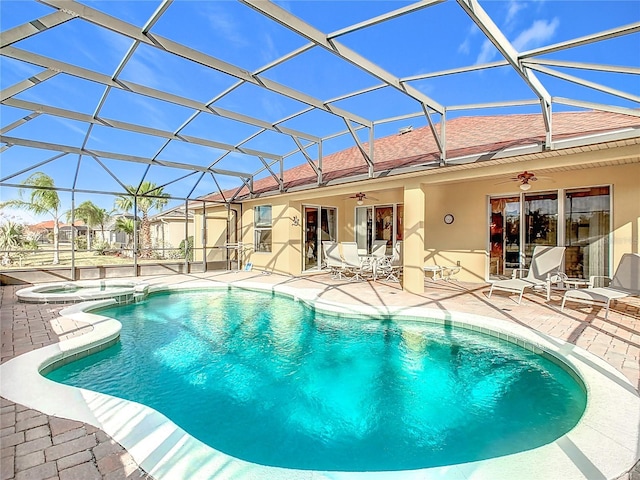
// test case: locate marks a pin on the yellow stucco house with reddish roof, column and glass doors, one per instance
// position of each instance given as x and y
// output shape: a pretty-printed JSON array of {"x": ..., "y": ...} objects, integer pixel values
[{"x": 501, "y": 190}]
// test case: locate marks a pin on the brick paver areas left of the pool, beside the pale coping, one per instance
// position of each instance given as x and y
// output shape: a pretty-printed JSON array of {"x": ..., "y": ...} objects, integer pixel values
[{"x": 36, "y": 446}]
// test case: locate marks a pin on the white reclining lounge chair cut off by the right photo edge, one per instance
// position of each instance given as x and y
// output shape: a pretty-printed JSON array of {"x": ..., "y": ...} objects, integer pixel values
[{"x": 625, "y": 283}]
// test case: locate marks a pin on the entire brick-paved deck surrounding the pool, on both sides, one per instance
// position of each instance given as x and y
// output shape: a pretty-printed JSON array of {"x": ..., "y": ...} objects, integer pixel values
[{"x": 38, "y": 446}]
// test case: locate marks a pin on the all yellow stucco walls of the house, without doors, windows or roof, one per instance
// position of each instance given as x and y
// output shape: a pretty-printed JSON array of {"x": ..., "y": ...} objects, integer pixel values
[{"x": 463, "y": 193}]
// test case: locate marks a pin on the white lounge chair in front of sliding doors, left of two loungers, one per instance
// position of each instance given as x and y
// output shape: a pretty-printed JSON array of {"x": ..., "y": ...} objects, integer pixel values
[{"x": 544, "y": 270}]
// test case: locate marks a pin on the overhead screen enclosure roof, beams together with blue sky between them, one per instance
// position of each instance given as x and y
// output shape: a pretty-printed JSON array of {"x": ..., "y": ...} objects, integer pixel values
[{"x": 206, "y": 97}]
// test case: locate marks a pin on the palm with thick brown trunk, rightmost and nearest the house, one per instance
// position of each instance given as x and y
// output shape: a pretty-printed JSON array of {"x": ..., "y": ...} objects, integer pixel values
[{"x": 156, "y": 199}]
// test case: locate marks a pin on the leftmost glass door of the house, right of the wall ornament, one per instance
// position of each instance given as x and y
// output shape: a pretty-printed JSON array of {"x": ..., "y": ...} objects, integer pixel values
[{"x": 320, "y": 223}]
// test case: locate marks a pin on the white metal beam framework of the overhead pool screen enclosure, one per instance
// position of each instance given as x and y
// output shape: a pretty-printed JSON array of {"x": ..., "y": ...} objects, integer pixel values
[{"x": 526, "y": 65}]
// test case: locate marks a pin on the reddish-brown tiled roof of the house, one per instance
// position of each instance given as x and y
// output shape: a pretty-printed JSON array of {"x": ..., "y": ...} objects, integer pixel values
[{"x": 464, "y": 136}]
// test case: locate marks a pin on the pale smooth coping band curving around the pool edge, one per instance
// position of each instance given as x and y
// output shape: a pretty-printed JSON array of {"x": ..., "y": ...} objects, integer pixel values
[{"x": 604, "y": 444}]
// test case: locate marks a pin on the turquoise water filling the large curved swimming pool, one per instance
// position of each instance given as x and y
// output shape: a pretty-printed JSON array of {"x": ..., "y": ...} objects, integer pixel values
[{"x": 266, "y": 379}]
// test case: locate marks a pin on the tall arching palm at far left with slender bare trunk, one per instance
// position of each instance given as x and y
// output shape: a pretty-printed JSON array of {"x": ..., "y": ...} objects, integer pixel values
[{"x": 43, "y": 200}]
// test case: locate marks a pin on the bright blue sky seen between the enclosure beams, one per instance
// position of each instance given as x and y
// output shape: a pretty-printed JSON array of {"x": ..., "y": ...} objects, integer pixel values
[{"x": 433, "y": 39}]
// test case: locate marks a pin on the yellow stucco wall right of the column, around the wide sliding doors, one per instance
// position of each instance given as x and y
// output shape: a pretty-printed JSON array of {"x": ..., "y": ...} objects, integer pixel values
[{"x": 466, "y": 240}]
